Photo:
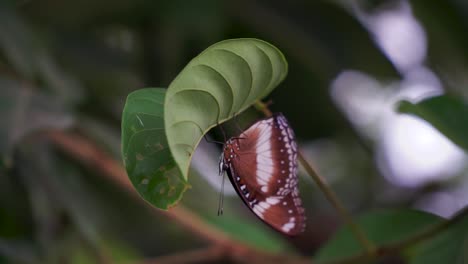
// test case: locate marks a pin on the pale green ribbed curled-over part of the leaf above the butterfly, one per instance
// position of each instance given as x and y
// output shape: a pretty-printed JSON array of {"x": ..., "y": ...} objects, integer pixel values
[{"x": 222, "y": 81}]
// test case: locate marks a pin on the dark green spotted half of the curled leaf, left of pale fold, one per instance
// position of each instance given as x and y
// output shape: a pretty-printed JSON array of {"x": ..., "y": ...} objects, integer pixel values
[{"x": 146, "y": 156}]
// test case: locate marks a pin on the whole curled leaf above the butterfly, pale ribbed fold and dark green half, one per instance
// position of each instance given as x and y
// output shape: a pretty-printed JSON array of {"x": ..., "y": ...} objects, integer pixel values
[{"x": 222, "y": 81}]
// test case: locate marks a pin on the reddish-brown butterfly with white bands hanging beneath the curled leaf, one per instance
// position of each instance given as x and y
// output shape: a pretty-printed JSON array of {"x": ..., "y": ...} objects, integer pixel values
[{"x": 261, "y": 164}]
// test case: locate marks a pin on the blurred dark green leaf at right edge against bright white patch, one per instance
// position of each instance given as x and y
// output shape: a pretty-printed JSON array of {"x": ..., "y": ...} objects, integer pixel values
[{"x": 448, "y": 114}]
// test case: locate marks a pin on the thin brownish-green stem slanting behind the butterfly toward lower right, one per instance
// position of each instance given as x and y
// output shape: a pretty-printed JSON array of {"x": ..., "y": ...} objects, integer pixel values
[{"x": 330, "y": 195}]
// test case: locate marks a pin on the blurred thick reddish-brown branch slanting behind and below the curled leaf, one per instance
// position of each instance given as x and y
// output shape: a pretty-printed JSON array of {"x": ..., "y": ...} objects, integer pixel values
[{"x": 88, "y": 153}]
